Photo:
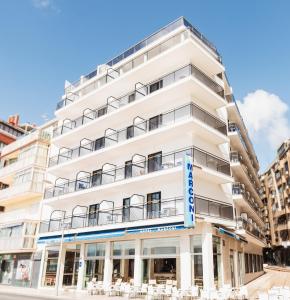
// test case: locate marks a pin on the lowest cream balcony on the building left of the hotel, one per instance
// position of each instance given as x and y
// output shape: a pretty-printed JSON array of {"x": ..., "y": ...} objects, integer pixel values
[{"x": 18, "y": 237}]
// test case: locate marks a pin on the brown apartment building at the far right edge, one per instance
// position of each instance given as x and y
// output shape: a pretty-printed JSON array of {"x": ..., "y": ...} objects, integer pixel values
[{"x": 275, "y": 193}]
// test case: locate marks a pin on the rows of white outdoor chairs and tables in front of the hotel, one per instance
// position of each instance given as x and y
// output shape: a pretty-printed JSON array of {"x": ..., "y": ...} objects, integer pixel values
[{"x": 169, "y": 290}]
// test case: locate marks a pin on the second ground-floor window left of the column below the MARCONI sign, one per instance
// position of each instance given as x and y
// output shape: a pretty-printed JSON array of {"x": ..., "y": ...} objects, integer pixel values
[{"x": 123, "y": 253}]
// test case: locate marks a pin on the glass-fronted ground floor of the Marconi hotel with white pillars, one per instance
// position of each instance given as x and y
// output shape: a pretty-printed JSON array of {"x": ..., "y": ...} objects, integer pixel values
[{"x": 201, "y": 256}]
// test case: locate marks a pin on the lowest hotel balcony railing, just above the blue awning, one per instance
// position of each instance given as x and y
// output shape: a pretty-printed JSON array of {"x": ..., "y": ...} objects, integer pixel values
[{"x": 157, "y": 209}]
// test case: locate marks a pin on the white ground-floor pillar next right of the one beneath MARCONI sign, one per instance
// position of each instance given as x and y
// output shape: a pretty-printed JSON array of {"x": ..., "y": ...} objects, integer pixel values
[{"x": 207, "y": 257}]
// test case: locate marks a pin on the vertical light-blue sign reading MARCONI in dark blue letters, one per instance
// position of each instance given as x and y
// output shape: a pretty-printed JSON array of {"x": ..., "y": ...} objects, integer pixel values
[{"x": 189, "y": 201}]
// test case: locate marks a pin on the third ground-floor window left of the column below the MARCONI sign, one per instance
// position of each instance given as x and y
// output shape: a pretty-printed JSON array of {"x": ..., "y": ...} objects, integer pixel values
[{"x": 94, "y": 262}]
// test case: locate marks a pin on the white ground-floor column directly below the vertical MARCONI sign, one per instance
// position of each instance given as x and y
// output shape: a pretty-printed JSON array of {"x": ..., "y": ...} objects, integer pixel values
[{"x": 185, "y": 263}]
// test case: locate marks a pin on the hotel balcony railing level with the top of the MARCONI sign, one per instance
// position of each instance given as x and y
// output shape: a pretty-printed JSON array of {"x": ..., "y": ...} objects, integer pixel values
[{"x": 139, "y": 166}]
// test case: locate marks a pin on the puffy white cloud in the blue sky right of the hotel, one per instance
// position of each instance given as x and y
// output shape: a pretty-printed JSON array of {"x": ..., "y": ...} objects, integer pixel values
[{"x": 265, "y": 115}]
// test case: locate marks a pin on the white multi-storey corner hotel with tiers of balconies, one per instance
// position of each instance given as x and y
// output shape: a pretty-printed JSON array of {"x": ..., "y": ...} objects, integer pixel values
[{"x": 116, "y": 208}]
